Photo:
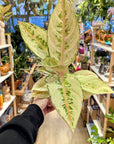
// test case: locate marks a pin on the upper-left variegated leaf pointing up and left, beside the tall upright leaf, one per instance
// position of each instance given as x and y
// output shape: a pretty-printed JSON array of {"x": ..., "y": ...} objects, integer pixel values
[{"x": 35, "y": 38}]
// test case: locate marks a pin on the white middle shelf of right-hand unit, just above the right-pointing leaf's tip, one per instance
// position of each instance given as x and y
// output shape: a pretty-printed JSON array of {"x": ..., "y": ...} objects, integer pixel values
[{"x": 101, "y": 76}]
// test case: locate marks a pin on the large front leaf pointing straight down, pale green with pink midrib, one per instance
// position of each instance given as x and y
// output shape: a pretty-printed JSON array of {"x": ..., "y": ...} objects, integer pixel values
[{"x": 66, "y": 95}]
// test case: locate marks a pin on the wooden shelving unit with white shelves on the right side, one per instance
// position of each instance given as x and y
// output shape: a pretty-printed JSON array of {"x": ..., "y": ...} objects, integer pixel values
[{"x": 109, "y": 80}]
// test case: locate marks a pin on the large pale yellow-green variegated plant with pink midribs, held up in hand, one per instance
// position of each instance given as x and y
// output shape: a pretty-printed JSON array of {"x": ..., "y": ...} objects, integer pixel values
[{"x": 57, "y": 47}]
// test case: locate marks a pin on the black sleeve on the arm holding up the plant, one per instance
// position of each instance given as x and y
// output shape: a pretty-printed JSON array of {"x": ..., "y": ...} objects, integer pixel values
[{"x": 22, "y": 129}]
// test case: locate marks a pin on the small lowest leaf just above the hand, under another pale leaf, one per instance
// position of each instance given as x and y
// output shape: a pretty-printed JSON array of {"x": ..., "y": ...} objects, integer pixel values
[{"x": 41, "y": 95}]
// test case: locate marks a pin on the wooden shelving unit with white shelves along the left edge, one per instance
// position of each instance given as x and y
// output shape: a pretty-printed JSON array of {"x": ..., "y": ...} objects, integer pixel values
[{"x": 10, "y": 74}]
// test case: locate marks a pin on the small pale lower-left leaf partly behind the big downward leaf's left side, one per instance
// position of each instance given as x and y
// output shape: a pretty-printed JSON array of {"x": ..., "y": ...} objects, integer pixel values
[{"x": 40, "y": 85}]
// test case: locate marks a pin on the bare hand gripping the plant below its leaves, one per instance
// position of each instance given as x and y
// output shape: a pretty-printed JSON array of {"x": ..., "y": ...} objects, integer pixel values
[{"x": 45, "y": 105}]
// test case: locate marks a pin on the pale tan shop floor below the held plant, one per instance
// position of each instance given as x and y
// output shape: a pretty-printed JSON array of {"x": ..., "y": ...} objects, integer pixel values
[{"x": 55, "y": 131}]
